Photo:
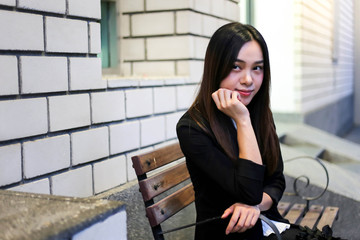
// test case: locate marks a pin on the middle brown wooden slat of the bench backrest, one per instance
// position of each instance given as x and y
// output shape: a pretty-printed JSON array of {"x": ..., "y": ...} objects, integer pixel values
[{"x": 157, "y": 184}]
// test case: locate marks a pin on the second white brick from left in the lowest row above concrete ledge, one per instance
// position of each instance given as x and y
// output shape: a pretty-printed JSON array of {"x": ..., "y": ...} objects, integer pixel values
[{"x": 74, "y": 183}]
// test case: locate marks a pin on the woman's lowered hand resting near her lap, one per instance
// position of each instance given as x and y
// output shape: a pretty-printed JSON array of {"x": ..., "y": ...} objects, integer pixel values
[{"x": 243, "y": 217}]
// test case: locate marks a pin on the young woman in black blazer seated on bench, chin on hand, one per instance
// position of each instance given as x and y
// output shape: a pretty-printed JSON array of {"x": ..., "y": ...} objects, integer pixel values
[{"x": 228, "y": 138}]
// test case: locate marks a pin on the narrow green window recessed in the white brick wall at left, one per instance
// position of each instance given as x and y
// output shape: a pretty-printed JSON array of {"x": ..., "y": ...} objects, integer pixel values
[{"x": 109, "y": 36}]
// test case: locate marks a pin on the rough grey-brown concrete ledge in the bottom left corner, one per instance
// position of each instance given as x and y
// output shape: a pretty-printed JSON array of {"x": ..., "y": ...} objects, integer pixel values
[{"x": 40, "y": 216}]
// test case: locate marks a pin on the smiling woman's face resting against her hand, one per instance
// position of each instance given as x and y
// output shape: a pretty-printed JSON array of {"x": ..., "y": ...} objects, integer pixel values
[{"x": 247, "y": 74}]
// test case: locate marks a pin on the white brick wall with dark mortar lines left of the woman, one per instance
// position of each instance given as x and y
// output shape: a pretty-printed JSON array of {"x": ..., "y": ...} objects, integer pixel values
[{"x": 67, "y": 129}]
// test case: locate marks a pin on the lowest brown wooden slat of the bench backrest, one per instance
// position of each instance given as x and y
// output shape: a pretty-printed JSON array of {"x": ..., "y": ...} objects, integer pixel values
[{"x": 168, "y": 206}]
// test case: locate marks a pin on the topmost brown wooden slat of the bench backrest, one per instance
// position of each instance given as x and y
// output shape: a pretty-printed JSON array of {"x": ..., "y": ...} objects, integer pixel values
[{"x": 144, "y": 163}]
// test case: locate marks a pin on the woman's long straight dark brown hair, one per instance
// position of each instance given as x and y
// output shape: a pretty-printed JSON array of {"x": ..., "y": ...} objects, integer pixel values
[{"x": 221, "y": 54}]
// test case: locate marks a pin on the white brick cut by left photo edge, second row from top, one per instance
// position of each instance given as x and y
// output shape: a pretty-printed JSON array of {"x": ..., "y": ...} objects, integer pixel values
[{"x": 24, "y": 31}]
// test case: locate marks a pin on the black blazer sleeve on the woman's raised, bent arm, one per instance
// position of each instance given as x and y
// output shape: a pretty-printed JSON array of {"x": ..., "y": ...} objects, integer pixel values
[{"x": 243, "y": 180}]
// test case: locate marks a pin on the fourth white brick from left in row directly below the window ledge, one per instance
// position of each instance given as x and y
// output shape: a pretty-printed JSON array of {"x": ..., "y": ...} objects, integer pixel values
[{"x": 139, "y": 102}]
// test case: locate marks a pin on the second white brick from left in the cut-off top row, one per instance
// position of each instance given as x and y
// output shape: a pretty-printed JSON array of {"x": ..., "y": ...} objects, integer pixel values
[{"x": 55, "y": 6}]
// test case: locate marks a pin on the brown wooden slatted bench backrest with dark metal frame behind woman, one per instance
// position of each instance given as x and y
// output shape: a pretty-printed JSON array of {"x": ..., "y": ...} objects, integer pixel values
[{"x": 158, "y": 172}]
